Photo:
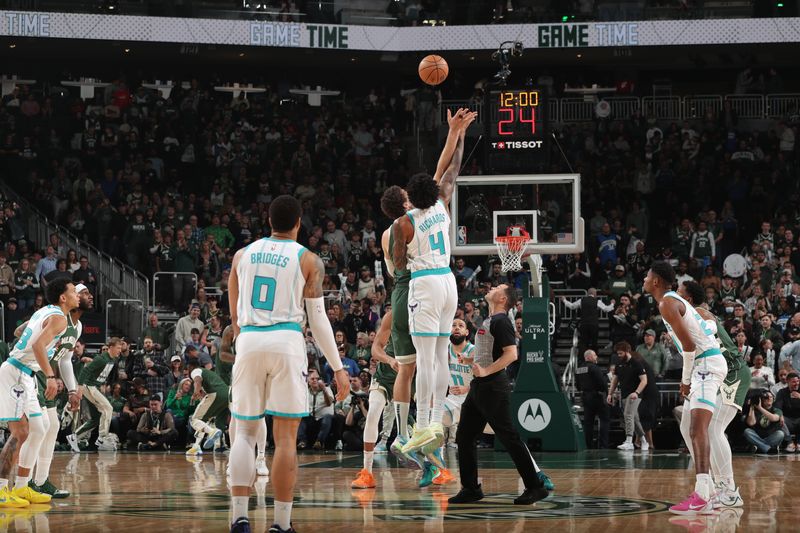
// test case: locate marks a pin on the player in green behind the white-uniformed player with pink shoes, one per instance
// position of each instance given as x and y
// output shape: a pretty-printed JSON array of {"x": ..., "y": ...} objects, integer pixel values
[{"x": 729, "y": 402}]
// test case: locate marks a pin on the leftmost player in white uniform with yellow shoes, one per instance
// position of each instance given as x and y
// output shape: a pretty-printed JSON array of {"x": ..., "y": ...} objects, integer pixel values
[{"x": 19, "y": 405}]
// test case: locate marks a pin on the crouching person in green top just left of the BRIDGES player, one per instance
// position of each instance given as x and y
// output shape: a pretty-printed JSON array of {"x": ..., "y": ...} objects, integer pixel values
[{"x": 213, "y": 404}]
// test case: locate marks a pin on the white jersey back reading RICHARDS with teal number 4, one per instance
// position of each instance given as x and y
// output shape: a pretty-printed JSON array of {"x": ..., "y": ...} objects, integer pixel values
[{"x": 429, "y": 249}]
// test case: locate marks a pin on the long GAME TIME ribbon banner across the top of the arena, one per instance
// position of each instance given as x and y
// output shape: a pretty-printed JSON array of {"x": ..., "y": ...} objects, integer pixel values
[{"x": 391, "y": 39}]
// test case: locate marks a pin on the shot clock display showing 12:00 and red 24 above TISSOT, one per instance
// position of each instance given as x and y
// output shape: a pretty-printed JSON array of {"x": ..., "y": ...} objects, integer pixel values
[{"x": 517, "y": 128}]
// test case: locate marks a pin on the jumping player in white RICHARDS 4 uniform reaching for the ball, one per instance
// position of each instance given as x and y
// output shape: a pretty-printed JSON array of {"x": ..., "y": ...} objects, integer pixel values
[{"x": 421, "y": 243}]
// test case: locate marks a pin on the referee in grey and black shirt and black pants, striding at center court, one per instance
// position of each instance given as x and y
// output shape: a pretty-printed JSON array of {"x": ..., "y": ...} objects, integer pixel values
[{"x": 488, "y": 401}]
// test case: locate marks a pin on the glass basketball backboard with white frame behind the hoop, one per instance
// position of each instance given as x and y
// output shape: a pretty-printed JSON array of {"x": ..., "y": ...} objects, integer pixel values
[{"x": 547, "y": 206}]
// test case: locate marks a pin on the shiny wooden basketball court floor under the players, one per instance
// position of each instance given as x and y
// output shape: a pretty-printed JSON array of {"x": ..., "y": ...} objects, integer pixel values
[{"x": 595, "y": 491}]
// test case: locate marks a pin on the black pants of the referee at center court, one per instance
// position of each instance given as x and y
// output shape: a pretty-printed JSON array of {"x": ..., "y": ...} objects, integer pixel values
[{"x": 488, "y": 401}]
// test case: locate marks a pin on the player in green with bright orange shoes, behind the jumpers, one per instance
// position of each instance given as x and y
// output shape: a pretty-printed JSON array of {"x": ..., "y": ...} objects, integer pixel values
[{"x": 380, "y": 394}]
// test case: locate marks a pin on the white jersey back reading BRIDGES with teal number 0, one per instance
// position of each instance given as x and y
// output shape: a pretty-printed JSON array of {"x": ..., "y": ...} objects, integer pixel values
[{"x": 271, "y": 285}]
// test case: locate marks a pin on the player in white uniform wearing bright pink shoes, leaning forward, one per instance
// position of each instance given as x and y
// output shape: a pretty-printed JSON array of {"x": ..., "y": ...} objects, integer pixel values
[{"x": 704, "y": 369}]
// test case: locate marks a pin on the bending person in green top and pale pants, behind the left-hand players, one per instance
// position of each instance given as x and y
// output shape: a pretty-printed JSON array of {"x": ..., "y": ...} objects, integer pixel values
[{"x": 90, "y": 379}]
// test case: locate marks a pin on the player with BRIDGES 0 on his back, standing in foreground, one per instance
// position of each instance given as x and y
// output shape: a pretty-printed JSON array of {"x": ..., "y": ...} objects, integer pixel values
[{"x": 269, "y": 280}]
